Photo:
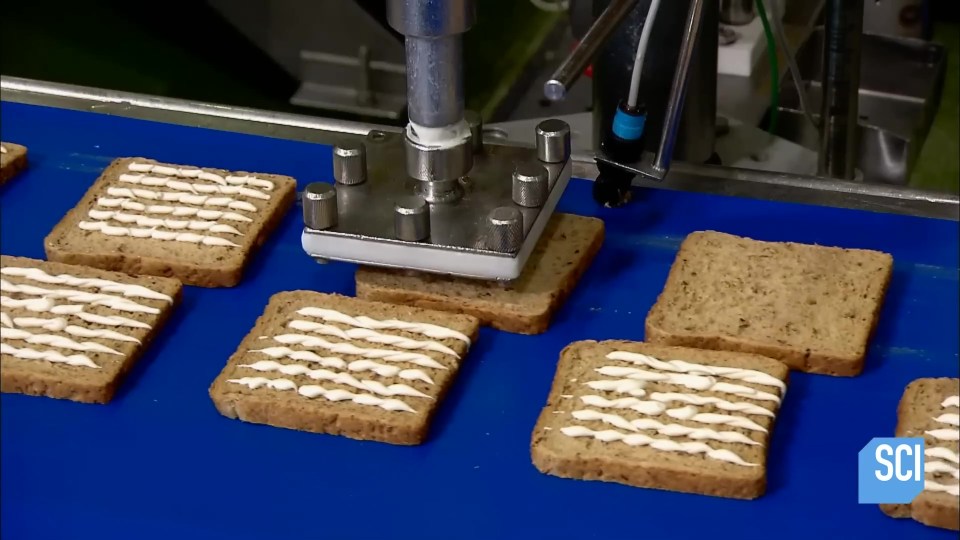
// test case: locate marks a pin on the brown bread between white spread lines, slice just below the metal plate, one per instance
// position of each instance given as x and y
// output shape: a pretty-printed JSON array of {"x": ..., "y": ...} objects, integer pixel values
[{"x": 288, "y": 409}]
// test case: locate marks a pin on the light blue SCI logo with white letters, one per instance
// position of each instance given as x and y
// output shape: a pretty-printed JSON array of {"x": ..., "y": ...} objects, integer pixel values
[{"x": 890, "y": 470}]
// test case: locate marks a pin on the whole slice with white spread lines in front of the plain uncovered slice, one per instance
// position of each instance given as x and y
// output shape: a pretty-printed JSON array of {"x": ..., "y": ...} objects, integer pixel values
[{"x": 660, "y": 417}]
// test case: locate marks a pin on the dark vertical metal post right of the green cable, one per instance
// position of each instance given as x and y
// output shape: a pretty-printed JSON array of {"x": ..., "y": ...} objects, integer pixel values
[{"x": 839, "y": 124}]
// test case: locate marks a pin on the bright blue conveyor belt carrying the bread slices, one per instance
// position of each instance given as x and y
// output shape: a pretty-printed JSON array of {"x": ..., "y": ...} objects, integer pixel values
[{"x": 160, "y": 462}]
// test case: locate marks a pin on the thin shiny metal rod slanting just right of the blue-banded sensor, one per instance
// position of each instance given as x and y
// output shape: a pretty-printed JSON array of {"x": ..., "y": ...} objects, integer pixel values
[{"x": 678, "y": 90}]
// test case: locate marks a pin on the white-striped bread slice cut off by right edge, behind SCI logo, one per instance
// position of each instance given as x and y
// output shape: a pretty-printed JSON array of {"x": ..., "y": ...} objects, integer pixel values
[{"x": 930, "y": 408}]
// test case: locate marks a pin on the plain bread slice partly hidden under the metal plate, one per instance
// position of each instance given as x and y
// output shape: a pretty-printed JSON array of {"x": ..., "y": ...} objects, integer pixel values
[{"x": 524, "y": 306}]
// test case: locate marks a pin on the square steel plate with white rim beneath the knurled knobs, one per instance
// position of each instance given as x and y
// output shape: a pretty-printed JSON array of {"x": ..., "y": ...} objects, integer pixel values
[{"x": 465, "y": 238}]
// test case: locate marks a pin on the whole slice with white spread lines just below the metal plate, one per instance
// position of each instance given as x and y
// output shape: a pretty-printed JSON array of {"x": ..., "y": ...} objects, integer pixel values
[{"x": 332, "y": 364}]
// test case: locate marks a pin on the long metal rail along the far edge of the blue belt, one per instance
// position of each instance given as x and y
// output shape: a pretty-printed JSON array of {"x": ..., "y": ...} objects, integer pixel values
[{"x": 684, "y": 176}]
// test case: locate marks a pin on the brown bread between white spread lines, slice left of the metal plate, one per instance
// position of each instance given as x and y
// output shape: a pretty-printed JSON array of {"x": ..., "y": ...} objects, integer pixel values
[{"x": 191, "y": 263}]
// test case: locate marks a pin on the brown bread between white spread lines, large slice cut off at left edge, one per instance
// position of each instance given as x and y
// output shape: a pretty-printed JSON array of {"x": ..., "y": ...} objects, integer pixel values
[{"x": 78, "y": 383}]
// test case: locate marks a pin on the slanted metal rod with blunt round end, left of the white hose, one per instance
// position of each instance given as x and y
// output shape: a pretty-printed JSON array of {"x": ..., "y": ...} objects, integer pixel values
[{"x": 555, "y": 89}]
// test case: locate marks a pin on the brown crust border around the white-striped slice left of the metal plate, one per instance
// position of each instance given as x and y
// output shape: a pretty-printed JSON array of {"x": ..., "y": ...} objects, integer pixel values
[{"x": 62, "y": 245}]
